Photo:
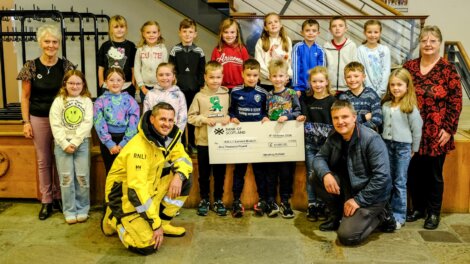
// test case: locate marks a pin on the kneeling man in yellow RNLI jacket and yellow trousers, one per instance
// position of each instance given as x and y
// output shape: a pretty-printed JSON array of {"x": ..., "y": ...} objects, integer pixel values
[{"x": 148, "y": 183}]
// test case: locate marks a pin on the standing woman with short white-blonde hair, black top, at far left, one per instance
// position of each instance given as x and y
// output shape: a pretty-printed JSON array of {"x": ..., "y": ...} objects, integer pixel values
[{"x": 41, "y": 80}]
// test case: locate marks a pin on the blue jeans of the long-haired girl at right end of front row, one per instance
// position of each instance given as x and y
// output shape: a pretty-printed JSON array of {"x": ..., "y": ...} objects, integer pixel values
[{"x": 400, "y": 156}]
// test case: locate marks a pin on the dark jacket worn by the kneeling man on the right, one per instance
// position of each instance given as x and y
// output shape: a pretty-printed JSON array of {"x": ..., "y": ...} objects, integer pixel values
[{"x": 368, "y": 164}]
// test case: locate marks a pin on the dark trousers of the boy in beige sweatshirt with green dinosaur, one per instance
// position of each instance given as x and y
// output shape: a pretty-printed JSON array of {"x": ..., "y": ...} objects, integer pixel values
[{"x": 218, "y": 172}]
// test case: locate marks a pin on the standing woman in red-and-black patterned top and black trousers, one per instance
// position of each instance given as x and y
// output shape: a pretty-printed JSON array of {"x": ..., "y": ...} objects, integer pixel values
[{"x": 439, "y": 95}]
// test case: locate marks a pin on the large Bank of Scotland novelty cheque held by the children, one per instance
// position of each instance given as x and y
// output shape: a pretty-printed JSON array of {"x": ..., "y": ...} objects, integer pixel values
[{"x": 252, "y": 142}]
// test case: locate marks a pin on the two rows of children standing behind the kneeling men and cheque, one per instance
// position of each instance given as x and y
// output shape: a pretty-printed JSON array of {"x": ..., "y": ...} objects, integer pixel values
[{"x": 234, "y": 88}]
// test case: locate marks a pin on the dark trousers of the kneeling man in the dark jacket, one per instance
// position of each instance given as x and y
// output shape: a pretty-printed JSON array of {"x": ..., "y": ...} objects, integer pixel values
[{"x": 353, "y": 229}]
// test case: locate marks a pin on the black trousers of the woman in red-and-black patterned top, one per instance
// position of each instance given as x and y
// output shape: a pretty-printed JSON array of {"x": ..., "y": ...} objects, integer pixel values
[{"x": 426, "y": 183}]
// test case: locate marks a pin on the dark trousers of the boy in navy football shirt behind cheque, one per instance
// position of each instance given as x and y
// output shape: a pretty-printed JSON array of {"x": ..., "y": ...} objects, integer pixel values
[{"x": 259, "y": 170}]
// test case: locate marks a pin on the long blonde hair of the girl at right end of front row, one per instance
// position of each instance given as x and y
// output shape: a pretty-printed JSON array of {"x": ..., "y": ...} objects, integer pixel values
[{"x": 408, "y": 102}]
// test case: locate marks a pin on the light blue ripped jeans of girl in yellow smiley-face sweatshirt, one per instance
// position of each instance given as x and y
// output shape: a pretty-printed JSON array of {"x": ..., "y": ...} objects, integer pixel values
[{"x": 74, "y": 175}]
